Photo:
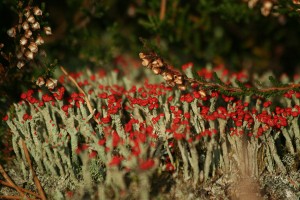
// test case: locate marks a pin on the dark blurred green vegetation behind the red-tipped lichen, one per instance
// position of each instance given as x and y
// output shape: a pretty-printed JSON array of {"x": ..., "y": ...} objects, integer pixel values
[{"x": 256, "y": 35}]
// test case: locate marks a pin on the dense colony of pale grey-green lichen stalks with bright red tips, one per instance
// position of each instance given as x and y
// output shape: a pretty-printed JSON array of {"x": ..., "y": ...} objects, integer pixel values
[{"x": 138, "y": 132}]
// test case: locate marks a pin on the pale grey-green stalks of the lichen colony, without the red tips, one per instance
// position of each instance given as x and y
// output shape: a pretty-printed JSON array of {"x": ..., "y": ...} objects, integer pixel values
[{"x": 54, "y": 138}]
